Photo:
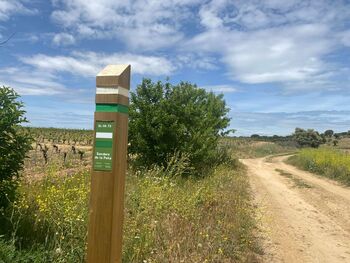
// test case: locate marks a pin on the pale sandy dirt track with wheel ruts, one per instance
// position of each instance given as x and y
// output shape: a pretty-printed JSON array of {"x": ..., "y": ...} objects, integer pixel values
[{"x": 304, "y": 218}]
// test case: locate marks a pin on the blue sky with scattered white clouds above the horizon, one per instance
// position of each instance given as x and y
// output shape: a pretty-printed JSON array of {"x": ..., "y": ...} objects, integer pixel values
[{"x": 280, "y": 64}]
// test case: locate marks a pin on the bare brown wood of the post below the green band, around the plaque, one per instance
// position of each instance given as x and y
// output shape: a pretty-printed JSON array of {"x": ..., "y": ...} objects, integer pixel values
[{"x": 106, "y": 211}]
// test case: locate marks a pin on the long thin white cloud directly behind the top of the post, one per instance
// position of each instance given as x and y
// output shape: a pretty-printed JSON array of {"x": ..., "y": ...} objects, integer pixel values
[{"x": 88, "y": 64}]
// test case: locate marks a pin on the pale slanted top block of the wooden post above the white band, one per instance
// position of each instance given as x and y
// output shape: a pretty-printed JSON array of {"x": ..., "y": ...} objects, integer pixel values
[{"x": 114, "y": 76}]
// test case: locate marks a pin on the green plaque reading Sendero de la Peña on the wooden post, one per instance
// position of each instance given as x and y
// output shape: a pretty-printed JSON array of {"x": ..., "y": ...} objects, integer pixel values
[{"x": 104, "y": 140}]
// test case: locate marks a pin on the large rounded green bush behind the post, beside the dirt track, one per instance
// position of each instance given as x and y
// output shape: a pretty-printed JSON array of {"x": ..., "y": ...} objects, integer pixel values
[{"x": 166, "y": 119}]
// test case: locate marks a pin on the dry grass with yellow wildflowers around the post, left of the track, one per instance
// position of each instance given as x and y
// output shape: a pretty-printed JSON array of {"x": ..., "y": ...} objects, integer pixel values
[{"x": 167, "y": 218}]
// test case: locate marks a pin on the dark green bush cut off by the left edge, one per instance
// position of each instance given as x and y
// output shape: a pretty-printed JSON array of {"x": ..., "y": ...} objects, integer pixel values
[{"x": 15, "y": 142}]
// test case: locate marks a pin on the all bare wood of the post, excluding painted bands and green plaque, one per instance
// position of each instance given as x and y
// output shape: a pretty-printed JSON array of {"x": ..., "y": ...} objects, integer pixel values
[{"x": 106, "y": 210}]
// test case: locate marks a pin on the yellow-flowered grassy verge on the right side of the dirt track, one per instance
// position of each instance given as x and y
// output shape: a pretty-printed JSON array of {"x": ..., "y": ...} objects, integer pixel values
[{"x": 327, "y": 162}]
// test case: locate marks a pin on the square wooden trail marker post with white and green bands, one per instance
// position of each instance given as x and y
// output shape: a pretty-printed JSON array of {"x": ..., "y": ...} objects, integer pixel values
[{"x": 109, "y": 165}]
